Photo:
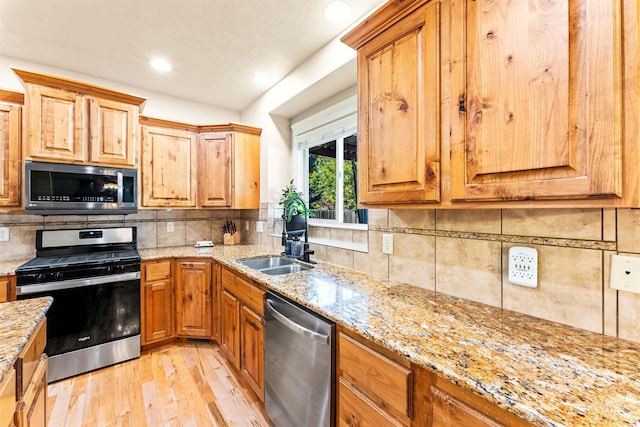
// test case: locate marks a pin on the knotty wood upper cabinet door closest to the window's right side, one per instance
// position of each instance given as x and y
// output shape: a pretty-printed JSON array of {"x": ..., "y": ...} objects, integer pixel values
[{"x": 398, "y": 120}]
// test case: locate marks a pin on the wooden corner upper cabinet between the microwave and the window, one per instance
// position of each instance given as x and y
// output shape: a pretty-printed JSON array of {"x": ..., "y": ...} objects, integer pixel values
[{"x": 215, "y": 166}]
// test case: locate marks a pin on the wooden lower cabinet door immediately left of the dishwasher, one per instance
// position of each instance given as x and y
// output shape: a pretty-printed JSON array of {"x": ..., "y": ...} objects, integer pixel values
[{"x": 252, "y": 350}]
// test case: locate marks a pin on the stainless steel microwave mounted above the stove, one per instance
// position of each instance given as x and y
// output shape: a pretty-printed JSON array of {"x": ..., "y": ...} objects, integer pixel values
[{"x": 59, "y": 189}]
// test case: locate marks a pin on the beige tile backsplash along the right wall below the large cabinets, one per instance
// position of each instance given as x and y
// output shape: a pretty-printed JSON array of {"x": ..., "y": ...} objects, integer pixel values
[{"x": 464, "y": 253}]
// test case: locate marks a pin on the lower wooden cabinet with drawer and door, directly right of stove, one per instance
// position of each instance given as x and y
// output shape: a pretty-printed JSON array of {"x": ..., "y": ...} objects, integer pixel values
[{"x": 157, "y": 310}]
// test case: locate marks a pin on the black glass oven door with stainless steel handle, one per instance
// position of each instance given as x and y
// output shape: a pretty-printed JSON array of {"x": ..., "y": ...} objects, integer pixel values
[{"x": 90, "y": 313}]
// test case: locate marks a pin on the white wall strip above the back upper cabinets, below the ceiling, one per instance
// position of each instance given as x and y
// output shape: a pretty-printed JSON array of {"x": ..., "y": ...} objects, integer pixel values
[{"x": 158, "y": 105}]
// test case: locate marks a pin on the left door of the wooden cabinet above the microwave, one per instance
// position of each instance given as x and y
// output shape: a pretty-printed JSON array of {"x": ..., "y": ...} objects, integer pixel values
[{"x": 55, "y": 125}]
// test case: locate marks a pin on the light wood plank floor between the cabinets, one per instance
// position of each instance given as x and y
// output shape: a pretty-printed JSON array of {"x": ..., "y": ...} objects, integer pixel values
[{"x": 187, "y": 384}]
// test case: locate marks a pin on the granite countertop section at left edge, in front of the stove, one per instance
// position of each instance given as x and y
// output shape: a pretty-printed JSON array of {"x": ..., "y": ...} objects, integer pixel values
[{"x": 18, "y": 321}]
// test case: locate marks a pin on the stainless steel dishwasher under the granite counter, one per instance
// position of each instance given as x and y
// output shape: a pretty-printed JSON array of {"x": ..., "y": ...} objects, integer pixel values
[{"x": 299, "y": 354}]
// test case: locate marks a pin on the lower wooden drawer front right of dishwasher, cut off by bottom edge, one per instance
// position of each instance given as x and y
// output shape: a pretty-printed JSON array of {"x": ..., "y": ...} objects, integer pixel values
[{"x": 354, "y": 409}]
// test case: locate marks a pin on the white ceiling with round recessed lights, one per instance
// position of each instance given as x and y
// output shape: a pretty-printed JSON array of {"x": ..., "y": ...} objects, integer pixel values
[{"x": 215, "y": 46}]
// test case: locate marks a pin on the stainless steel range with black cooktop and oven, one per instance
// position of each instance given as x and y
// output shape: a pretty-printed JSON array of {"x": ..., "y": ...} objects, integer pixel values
[{"x": 93, "y": 276}]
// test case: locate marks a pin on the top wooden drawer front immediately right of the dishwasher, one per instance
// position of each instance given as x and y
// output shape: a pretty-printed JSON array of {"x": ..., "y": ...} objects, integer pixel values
[{"x": 382, "y": 380}]
